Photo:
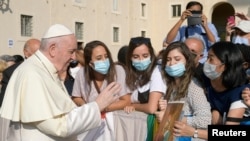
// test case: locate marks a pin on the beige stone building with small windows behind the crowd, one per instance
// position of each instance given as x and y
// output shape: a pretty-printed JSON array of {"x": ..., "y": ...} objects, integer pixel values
[{"x": 111, "y": 21}]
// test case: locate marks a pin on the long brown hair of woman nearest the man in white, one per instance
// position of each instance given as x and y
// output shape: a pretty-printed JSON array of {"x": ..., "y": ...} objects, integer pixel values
[{"x": 88, "y": 70}]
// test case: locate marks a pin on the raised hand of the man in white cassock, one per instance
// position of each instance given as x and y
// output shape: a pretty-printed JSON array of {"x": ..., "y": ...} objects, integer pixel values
[{"x": 108, "y": 95}]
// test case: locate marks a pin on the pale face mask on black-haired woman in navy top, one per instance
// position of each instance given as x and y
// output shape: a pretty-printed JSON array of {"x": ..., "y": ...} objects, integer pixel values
[{"x": 210, "y": 71}]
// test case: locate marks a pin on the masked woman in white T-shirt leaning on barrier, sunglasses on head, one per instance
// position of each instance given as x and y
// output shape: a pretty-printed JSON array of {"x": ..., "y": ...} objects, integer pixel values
[{"x": 142, "y": 76}]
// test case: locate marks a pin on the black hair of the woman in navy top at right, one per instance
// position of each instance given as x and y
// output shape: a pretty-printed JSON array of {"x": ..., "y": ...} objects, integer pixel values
[{"x": 234, "y": 74}]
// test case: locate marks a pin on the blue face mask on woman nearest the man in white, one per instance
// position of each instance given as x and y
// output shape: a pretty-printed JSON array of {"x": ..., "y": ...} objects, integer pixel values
[{"x": 102, "y": 66}]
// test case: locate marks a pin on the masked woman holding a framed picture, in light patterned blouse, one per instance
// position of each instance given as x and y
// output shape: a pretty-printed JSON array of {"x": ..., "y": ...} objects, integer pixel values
[{"x": 178, "y": 71}]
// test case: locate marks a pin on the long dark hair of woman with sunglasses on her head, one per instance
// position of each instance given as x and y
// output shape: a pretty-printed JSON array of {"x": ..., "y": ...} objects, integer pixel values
[{"x": 133, "y": 75}]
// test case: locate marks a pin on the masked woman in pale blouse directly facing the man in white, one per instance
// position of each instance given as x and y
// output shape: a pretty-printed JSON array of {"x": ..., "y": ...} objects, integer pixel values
[{"x": 99, "y": 71}]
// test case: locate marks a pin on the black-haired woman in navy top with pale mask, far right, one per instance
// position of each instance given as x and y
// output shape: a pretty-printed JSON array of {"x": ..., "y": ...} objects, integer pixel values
[{"x": 225, "y": 70}]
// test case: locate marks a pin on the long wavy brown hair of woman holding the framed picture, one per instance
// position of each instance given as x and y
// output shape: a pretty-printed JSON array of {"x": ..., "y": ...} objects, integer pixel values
[{"x": 186, "y": 78}]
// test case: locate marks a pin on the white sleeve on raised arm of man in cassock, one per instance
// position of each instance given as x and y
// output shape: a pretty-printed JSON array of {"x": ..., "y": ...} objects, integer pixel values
[{"x": 77, "y": 121}]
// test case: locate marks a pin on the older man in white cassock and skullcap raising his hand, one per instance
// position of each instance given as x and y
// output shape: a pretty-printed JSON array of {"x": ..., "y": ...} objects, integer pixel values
[{"x": 36, "y": 102}]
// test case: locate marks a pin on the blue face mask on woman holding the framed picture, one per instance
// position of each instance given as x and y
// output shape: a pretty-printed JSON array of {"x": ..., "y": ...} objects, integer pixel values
[{"x": 176, "y": 70}]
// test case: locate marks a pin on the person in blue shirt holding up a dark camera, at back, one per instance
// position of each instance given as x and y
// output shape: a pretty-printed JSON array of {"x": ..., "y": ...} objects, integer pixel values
[{"x": 197, "y": 24}]
